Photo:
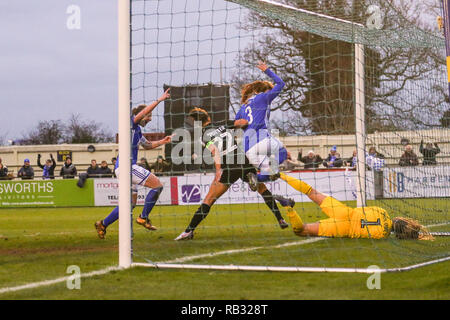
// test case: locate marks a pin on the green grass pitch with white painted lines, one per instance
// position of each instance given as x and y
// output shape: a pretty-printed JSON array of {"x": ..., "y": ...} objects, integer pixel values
[{"x": 39, "y": 244}]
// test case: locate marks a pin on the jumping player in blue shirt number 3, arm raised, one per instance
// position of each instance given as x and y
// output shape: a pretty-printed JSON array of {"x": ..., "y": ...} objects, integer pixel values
[{"x": 265, "y": 152}]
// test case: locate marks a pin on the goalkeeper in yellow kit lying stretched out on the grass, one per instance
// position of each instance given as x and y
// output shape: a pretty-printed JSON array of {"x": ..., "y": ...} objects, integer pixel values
[{"x": 346, "y": 222}]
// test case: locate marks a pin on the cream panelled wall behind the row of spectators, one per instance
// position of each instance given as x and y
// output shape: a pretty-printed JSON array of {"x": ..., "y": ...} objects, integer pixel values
[{"x": 388, "y": 143}]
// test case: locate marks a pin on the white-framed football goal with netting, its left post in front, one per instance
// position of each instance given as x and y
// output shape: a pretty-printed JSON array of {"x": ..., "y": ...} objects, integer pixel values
[{"x": 363, "y": 115}]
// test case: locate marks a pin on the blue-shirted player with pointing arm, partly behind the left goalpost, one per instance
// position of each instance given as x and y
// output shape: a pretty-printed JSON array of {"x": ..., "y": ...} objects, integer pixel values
[{"x": 141, "y": 115}]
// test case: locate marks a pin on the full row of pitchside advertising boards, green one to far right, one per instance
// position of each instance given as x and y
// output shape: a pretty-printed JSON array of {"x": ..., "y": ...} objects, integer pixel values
[{"x": 400, "y": 182}]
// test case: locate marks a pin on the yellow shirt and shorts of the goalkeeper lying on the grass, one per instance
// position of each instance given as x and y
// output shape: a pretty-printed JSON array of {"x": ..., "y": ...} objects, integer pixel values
[{"x": 365, "y": 222}]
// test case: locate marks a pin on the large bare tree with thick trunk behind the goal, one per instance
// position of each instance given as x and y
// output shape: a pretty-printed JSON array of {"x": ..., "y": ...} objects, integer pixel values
[{"x": 403, "y": 87}]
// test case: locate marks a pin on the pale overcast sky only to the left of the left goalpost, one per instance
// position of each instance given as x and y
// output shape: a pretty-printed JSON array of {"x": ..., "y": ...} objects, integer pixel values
[{"x": 48, "y": 71}]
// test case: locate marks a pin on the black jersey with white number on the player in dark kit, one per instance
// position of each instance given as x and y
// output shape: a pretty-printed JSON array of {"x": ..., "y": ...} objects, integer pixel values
[{"x": 221, "y": 134}]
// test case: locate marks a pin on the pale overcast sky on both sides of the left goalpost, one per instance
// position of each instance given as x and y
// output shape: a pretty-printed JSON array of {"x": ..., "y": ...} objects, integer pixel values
[{"x": 48, "y": 71}]
